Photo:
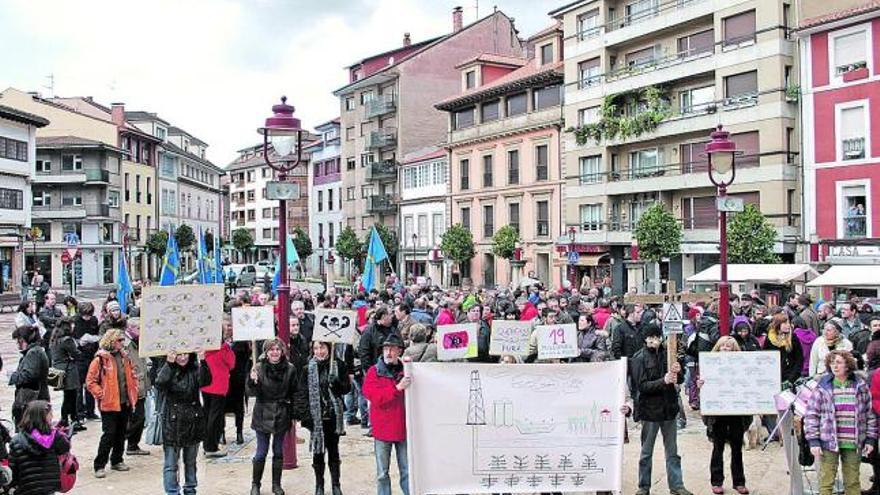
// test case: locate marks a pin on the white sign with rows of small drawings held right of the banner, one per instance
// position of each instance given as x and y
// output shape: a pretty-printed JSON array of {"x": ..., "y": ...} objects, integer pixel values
[{"x": 739, "y": 383}]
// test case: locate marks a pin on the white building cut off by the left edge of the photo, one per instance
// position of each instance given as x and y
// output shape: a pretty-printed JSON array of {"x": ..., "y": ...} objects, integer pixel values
[{"x": 17, "y": 157}]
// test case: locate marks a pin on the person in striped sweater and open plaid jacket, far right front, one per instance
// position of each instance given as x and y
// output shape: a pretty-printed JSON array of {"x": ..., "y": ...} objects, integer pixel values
[{"x": 840, "y": 424}]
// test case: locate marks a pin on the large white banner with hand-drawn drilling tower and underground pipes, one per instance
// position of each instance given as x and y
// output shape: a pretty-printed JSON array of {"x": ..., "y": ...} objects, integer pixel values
[{"x": 515, "y": 428}]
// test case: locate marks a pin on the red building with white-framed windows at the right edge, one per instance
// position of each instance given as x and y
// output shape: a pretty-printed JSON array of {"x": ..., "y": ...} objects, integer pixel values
[{"x": 840, "y": 74}]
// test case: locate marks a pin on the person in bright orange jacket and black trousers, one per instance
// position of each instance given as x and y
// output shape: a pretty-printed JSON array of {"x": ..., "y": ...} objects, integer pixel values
[{"x": 112, "y": 381}]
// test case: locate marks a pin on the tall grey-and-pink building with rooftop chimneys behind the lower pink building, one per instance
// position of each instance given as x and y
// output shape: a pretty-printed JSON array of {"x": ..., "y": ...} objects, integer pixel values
[{"x": 387, "y": 110}]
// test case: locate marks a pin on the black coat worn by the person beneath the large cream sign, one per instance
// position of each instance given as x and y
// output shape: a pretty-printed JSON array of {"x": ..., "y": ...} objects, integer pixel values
[{"x": 183, "y": 418}]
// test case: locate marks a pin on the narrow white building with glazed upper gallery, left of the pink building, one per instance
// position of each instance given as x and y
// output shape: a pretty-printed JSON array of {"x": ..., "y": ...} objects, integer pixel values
[{"x": 424, "y": 191}]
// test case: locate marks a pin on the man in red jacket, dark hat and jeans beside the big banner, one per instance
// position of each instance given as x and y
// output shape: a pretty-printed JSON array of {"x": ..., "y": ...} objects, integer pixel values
[{"x": 384, "y": 387}]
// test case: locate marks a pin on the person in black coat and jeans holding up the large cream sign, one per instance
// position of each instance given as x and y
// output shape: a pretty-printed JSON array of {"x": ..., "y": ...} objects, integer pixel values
[{"x": 183, "y": 419}]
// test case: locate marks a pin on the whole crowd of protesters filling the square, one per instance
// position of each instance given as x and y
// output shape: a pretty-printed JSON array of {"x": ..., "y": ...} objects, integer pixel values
[{"x": 180, "y": 401}]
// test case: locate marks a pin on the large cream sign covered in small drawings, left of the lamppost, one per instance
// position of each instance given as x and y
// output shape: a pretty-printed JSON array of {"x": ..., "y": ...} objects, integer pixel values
[{"x": 181, "y": 318}]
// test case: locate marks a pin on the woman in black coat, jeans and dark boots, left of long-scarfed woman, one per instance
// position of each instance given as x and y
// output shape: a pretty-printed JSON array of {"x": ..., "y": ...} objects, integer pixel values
[{"x": 272, "y": 382}]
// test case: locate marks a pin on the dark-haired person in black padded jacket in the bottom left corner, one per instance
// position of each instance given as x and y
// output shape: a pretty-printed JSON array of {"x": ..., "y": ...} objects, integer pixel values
[{"x": 34, "y": 451}]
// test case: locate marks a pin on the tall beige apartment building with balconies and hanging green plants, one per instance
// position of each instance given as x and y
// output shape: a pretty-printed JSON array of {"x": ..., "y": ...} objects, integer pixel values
[{"x": 646, "y": 82}]
